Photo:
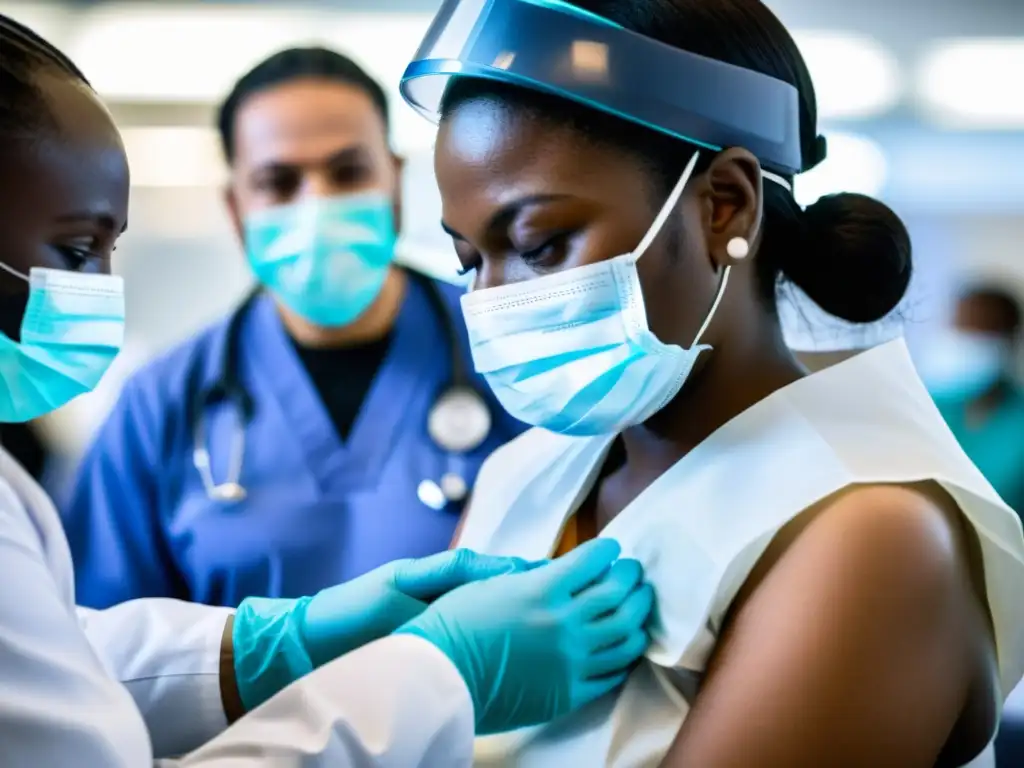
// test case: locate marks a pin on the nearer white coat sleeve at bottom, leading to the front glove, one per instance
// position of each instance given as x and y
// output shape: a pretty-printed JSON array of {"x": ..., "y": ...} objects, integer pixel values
[{"x": 399, "y": 703}]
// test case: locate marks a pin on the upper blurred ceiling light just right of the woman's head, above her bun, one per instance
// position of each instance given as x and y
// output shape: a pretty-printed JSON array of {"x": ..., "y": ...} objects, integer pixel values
[{"x": 855, "y": 77}]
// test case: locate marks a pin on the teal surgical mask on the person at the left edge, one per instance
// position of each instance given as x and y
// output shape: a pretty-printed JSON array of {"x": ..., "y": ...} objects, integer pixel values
[{"x": 72, "y": 331}]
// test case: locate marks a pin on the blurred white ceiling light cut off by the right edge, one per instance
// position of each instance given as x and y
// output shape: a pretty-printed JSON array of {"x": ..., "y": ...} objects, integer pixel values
[{"x": 975, "y": 83}]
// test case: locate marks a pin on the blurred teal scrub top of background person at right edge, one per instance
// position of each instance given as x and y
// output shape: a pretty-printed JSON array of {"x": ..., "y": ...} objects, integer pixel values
[{"x": 996, "y": 447}]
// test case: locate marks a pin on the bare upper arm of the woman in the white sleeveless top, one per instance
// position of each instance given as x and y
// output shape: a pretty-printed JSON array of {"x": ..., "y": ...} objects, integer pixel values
[{"x": 854, "y": 650}]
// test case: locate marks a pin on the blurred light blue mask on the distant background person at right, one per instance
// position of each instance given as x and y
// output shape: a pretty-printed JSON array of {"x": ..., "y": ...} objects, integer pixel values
[{"x": 960, "y": 365}]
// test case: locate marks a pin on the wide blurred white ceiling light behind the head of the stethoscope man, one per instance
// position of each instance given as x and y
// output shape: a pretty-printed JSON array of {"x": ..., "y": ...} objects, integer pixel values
[{"x": 196, "y": 55}]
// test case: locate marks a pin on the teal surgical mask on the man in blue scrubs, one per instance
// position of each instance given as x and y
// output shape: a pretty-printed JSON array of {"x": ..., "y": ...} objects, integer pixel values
[{"x": 326, "y": 259}]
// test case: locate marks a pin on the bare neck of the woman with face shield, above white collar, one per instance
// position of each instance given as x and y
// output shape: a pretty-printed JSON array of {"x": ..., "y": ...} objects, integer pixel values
[{"x": 728, "y": 382}]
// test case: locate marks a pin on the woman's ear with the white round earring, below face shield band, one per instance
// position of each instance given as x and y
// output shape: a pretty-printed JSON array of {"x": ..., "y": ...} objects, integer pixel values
[{"x": 735, "y": 203}]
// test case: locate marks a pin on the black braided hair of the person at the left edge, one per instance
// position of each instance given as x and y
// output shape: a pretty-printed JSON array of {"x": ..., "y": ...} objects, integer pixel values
[{"x": 23, "y": 55}]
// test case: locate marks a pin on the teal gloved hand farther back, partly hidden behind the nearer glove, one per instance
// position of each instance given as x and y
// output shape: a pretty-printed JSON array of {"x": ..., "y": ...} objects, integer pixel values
[{"x": 277, "y": 643}]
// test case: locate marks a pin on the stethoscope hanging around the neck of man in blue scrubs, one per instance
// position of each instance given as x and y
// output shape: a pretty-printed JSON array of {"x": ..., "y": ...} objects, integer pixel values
[{"x": 459, "y": 420}]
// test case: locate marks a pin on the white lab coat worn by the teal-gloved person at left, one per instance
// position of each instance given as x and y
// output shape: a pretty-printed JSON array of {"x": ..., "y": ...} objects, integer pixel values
[{"x": 122, "y": 688}]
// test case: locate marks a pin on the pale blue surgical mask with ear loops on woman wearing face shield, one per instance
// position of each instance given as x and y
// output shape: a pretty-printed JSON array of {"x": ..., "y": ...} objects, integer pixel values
[{"x": 572, "y": 352}]
